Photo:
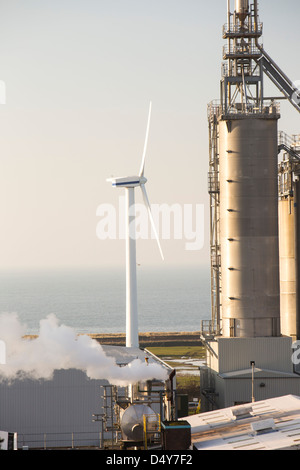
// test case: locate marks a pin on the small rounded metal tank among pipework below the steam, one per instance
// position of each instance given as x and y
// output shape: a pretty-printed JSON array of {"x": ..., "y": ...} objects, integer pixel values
[{"x": 132, "y": 423}]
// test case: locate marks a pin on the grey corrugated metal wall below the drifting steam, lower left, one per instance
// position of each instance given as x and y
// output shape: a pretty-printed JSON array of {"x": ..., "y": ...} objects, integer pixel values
[{"x": 52, "y": 410}]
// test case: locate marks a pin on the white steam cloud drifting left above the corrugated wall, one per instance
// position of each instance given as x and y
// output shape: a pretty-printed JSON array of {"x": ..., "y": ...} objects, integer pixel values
[{"x": 58, "y": 347}]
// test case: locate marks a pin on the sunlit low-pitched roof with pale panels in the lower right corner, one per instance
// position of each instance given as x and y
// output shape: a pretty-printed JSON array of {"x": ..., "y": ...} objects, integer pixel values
[{"x": 263, "y": 425}]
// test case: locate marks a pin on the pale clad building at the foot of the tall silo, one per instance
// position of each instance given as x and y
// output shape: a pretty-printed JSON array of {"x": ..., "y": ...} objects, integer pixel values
[{"x": 234, "y": 354}]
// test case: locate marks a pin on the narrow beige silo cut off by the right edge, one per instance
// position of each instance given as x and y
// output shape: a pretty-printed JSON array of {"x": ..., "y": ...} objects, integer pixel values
[{"x": 287, "y": 257}]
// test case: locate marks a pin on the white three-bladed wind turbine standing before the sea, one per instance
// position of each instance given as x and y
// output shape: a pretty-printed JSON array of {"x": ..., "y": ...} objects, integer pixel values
[{"x": 130, "y": 183}]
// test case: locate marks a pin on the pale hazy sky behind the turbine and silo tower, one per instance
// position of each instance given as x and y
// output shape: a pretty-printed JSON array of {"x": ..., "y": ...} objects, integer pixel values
[{"x": 79, "y": 76}]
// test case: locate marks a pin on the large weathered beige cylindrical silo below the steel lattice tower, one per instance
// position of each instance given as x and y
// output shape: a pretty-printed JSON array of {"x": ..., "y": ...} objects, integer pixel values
[{"x": 249, "y": 226}]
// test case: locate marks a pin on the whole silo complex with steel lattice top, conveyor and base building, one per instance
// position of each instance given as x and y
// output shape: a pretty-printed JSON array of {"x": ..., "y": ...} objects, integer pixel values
[{"x": 252, "y": 279}]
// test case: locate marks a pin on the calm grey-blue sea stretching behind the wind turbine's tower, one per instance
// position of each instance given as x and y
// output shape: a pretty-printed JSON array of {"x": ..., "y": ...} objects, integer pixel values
[{"x": 93, "y": 301}]
